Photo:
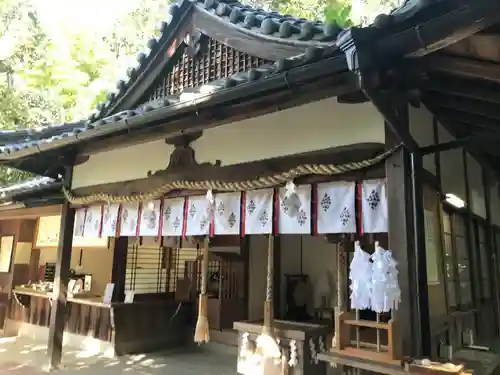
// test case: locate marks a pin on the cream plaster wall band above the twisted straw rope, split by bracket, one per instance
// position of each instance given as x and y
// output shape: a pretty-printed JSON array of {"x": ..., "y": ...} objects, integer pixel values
[{"x": 310, "y": 127}]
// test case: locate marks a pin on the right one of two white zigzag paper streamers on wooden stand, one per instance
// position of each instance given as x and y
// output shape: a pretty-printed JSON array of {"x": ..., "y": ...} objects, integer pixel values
[{"x": 386, "y": 294}]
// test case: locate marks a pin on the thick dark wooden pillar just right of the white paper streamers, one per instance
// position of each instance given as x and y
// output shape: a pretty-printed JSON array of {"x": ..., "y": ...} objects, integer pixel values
[{"x": 407, "y": 237}]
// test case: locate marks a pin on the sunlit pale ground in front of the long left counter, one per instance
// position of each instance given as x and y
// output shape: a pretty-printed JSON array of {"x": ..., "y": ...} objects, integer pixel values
[{"x": 23, "y": 356}]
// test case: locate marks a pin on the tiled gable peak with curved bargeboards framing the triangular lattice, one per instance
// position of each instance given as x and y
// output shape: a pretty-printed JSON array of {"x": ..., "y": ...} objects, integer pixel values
[{"x": 269, "y": 36}]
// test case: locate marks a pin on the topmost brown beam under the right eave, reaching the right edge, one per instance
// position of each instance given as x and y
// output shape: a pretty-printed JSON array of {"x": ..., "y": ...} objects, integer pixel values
[{"x": 463, "y": 67}]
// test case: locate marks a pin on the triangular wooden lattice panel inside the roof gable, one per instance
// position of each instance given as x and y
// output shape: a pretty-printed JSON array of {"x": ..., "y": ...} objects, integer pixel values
[{"x": 219, "y": 61}]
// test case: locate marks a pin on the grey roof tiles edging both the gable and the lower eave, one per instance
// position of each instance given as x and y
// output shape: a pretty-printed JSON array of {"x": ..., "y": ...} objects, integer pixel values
[{"x": 318, "y": 40}]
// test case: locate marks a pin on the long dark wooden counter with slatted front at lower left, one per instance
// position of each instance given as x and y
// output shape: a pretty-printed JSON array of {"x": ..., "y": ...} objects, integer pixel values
[{"x": 140, "y": 326}]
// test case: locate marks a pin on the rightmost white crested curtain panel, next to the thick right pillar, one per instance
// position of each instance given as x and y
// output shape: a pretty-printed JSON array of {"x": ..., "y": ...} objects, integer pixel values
[{"x": 374, "y": 207}]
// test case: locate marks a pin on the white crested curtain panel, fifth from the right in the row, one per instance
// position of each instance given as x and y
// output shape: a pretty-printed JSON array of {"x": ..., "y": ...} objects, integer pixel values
[{"x": 227, "y": 216}]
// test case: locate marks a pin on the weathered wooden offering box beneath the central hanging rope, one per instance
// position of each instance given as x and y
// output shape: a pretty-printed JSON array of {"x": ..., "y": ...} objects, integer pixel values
[{"x": 308, "y": 339}]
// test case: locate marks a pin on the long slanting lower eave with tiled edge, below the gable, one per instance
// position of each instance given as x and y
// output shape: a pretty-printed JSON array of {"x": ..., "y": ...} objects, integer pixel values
[{"x": 315, "y": 62}]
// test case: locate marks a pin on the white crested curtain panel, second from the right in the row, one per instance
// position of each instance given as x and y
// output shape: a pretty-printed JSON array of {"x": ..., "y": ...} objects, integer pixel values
[{"x": 336, "y": 207}]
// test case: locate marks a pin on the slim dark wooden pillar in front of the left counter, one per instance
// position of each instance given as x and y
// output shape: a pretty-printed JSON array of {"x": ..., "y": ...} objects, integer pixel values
[{"x": 58, "y": 311}]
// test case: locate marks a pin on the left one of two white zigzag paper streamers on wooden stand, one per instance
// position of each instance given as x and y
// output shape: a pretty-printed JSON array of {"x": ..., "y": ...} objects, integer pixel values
[{"x": 360, "y": 275}]
